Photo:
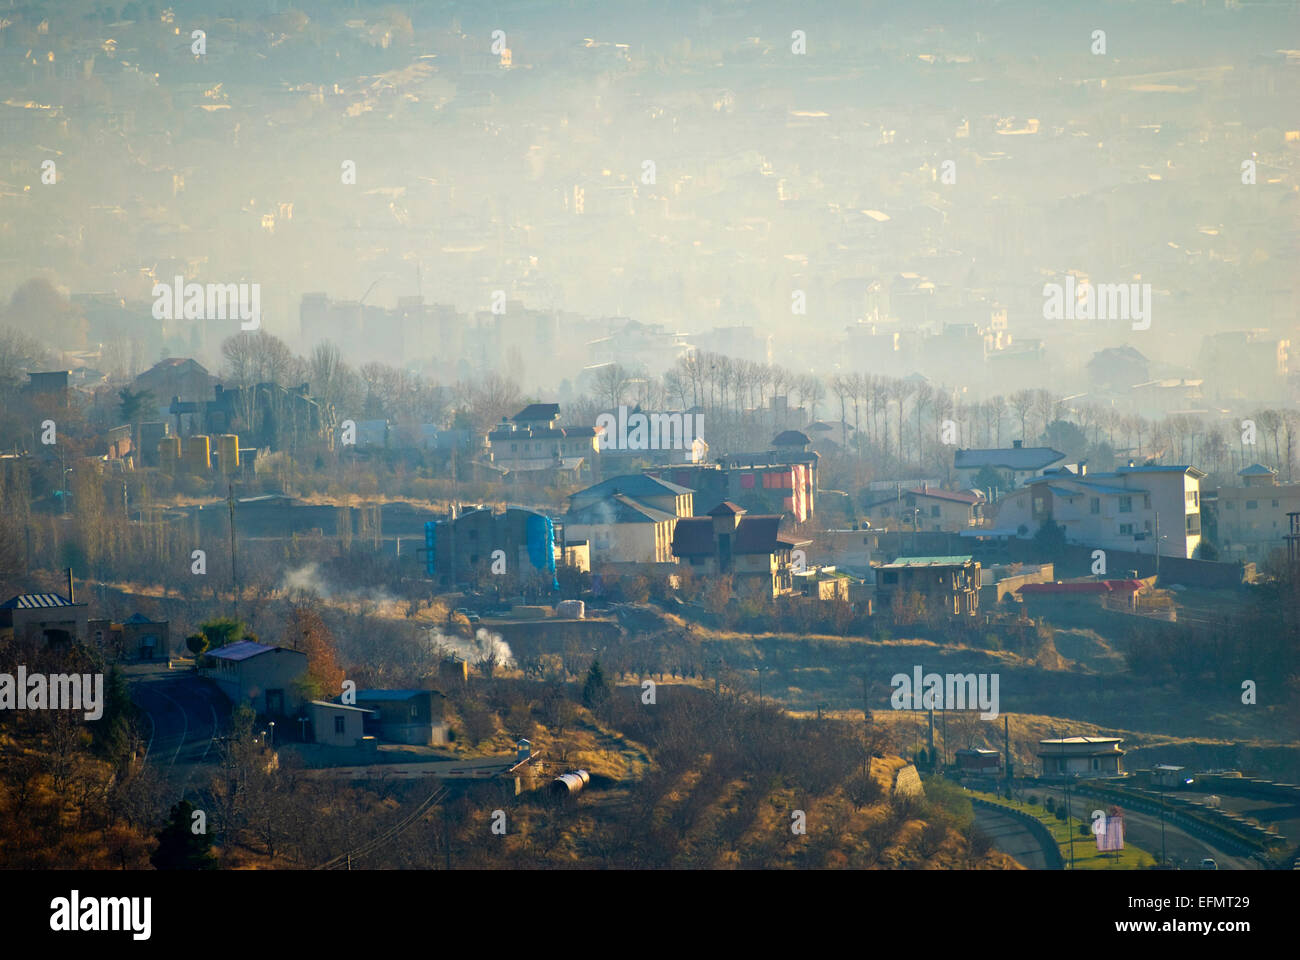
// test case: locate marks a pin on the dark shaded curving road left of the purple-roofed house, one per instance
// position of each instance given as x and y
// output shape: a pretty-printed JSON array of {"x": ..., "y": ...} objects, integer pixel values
[{"x": 184, "y": 715}]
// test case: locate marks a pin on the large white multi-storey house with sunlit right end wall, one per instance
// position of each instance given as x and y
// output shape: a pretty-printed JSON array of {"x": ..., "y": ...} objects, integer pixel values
[{"x": 1123, "y": 511}]
